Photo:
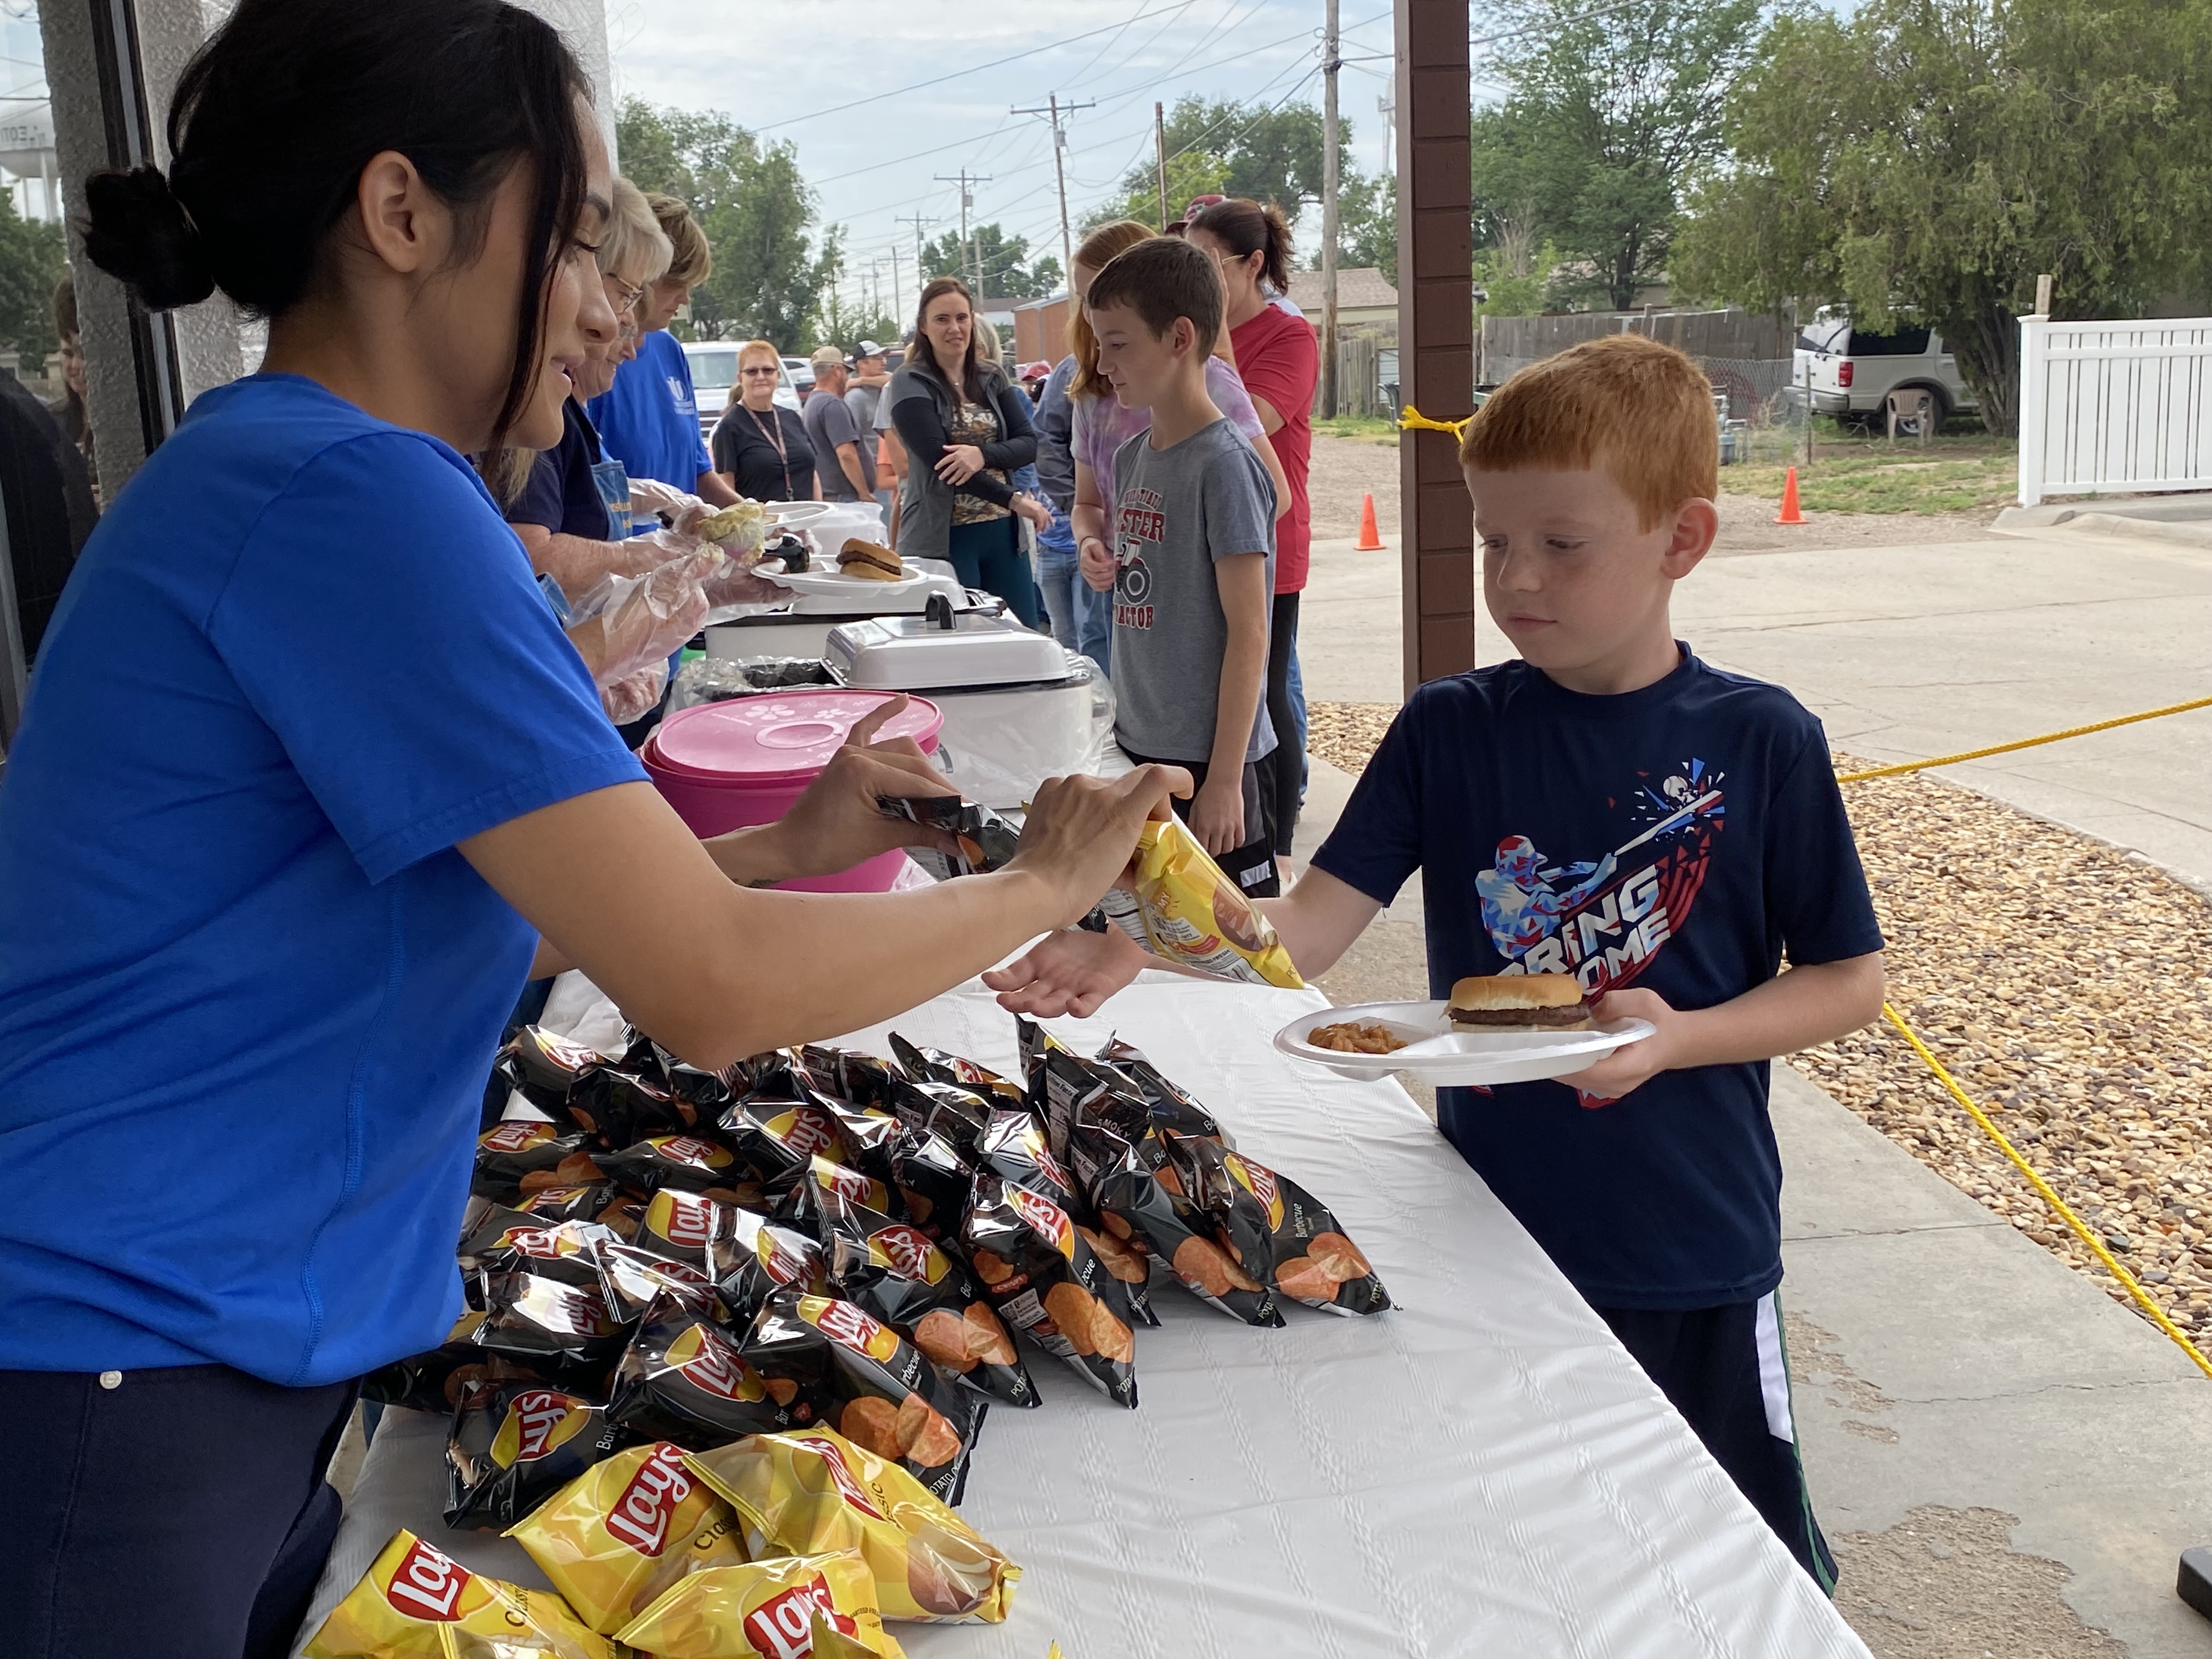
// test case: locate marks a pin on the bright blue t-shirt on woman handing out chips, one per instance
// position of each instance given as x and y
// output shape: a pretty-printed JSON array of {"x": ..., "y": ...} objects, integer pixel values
[{"x": 249, "y": 990}]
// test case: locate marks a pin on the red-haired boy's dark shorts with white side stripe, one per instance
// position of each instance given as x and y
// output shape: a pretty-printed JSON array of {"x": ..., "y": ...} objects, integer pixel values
[{"x": 1729, "y": 1373}]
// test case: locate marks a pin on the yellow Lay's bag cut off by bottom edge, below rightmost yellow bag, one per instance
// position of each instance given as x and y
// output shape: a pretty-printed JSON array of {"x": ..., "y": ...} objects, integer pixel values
[{"x": 764, "y": 1611}]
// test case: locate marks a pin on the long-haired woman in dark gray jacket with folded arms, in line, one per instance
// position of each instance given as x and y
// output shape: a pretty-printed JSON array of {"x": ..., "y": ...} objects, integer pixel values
[{"x": 966, "y": 428}]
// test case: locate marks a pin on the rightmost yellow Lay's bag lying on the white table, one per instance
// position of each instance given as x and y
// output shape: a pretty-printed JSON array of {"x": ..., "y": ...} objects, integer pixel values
[{"x": 815, "y": 1490}]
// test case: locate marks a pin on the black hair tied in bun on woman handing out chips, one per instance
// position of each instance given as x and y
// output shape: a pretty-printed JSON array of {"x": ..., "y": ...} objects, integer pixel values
[{"x": 289, "y": 101}]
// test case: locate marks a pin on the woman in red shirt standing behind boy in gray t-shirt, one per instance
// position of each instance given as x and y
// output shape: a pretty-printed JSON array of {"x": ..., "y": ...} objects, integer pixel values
[{"x": 1280, "y": 364}]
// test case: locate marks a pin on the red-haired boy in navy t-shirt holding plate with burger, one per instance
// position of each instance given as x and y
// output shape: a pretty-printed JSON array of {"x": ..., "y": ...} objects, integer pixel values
[{"x": 1614, "y": 808}]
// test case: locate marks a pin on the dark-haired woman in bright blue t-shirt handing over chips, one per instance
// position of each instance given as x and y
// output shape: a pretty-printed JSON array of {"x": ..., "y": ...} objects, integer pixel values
[{"x": 267, "y": 897}]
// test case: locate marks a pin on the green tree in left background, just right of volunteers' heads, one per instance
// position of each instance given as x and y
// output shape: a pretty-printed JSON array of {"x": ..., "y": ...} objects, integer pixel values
[{"x": 753, "y": 207}]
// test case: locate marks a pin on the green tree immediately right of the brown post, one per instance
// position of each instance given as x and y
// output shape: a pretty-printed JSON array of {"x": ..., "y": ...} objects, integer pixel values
[{"x": 1605, "y": 123}]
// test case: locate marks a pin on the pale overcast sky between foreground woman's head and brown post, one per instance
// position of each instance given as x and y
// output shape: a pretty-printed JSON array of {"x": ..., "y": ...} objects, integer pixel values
[{"x": 793, "y": 67}]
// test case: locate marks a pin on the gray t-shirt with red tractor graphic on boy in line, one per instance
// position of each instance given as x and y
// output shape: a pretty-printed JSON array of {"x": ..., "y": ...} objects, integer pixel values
[{"x": 1176, "y": 512}]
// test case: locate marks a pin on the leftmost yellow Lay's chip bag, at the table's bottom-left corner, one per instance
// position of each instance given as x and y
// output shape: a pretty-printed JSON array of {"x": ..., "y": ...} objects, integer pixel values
[{"x": 417, "y": 1603}]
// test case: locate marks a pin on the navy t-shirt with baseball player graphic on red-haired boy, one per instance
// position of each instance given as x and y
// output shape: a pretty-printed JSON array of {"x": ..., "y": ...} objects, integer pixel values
[{"x": 1680, "y": 839}]
